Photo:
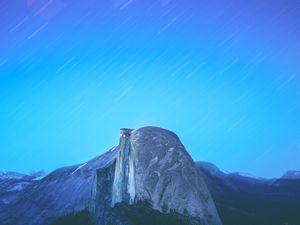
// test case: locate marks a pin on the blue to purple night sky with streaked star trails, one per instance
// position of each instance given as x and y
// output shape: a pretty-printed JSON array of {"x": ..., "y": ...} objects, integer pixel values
[{"x": 223, "y": 75}]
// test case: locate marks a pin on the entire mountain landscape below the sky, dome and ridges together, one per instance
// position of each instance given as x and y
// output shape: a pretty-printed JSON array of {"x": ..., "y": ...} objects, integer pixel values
[{"x": 149, "y": 178}]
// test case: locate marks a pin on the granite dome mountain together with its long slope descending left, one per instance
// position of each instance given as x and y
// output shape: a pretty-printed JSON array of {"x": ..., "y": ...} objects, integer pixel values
[{"x": 163, "y": 182}]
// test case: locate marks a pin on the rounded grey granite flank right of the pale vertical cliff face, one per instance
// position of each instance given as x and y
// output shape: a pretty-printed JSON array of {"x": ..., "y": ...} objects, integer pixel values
[{"x": 168, "y": 178}]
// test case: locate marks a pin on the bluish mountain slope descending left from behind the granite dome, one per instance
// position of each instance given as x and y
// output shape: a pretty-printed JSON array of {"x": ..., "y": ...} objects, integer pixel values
[{"x": 65, "y": 191}]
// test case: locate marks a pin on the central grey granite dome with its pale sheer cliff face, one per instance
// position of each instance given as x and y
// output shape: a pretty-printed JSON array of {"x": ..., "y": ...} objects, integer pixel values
[{"x": 154, "y": 169}]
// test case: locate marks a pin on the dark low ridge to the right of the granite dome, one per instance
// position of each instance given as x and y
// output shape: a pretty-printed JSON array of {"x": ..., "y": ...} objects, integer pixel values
[{"x": 246, "y": 201}]
